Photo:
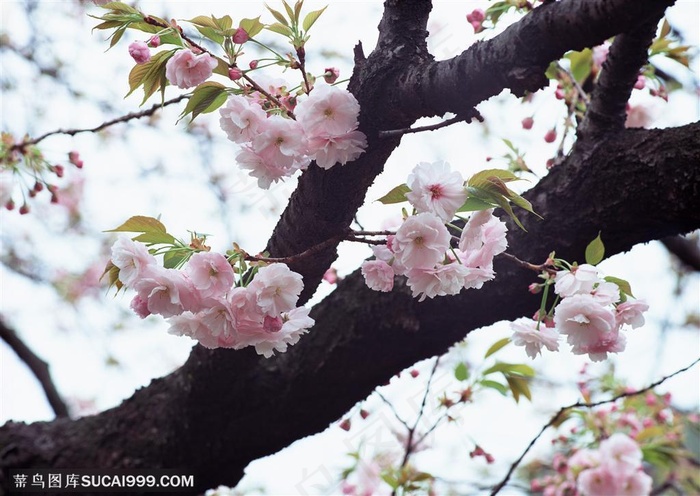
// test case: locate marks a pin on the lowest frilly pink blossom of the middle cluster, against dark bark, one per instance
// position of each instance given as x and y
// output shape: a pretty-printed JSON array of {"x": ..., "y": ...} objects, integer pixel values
[{"x": 441, "y": 280}]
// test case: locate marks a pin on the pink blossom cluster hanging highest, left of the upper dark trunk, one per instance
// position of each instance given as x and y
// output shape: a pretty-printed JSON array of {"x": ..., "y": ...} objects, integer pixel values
[{"x": 275, "y": 146}]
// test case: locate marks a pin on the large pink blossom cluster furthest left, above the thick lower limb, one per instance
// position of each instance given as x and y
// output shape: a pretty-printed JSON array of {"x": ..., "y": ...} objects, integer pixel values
[{"x": 203, "y": 302}]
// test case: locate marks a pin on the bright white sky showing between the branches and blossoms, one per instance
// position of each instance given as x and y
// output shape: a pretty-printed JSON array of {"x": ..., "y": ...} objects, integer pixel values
[{"x": 99, "y": 353}]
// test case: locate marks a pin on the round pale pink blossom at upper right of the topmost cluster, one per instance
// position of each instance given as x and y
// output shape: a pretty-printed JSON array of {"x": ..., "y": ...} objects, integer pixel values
[{"x": 328, "y": 110}]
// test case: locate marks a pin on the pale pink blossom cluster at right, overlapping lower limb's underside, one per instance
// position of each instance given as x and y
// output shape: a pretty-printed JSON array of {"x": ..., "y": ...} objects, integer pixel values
[{"x": 592, "y": 312}]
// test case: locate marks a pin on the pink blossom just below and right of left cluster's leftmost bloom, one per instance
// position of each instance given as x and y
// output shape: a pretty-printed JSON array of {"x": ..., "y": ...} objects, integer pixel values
[{"x": 168, "y": 292}]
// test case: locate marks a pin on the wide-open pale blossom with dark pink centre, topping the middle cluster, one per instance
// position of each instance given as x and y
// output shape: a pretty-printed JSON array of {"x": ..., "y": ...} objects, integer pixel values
[{"x": 436, "y": 189}]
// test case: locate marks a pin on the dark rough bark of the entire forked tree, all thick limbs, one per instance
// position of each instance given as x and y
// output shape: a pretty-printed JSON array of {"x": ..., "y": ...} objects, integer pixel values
[{"x": 223, "y": 408}]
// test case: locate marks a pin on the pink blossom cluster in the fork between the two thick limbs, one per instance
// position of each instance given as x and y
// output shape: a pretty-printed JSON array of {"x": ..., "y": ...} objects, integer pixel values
[{"x": 422, "y": 247}]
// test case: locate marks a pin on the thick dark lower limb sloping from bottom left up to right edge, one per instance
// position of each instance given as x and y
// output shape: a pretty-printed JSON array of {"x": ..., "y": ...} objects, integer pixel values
[{"x": 233, "y": 407}]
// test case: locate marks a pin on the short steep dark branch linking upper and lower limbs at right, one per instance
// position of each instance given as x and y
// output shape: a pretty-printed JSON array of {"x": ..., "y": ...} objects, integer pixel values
[{"x": 607, "y": 111}]
